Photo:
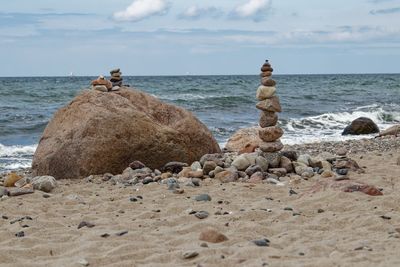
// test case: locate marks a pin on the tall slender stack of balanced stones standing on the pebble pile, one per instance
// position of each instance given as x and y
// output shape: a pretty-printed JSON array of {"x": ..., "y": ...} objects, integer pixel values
[{"x": 269, "y": 105}]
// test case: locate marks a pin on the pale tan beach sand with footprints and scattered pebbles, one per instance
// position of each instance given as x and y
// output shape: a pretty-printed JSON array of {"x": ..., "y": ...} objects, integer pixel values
[{"x": 348, "y": 231}]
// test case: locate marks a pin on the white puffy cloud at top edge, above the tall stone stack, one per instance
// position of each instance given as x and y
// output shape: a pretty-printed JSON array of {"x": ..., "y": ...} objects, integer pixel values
[{"x": 253, "y": 9}]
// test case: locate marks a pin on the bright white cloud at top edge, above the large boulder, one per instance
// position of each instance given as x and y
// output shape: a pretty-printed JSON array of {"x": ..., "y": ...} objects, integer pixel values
[{"x": 141, "y": 9}]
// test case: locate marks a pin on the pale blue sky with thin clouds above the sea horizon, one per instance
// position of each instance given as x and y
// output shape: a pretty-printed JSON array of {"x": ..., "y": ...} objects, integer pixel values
[{"x": 180, "y": 37}]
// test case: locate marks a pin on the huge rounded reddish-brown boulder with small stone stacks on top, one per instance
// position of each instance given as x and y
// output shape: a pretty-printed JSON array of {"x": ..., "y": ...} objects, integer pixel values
[{"x": 103, "y": 132}]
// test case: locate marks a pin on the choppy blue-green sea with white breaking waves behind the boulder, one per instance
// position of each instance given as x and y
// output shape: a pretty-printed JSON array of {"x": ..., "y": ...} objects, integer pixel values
[{"x": 315, "y": 107}]
